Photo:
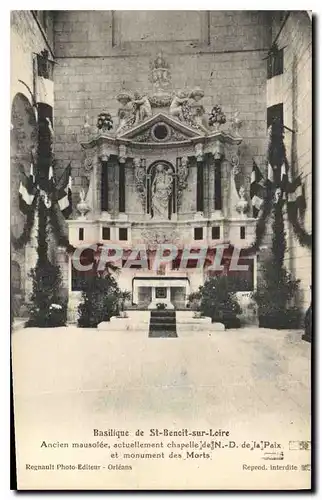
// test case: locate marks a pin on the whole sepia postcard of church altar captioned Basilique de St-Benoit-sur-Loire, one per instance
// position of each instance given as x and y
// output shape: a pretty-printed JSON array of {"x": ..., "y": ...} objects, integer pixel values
[{"x": 161, "y": 242}]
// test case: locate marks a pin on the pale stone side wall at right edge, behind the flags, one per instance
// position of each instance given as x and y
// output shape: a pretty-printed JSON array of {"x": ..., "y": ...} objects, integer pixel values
[{"x": 296, "y": 95}]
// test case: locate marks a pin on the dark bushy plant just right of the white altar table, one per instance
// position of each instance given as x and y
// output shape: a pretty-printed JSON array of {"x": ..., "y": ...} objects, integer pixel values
[{"x": 219, "y": 301}]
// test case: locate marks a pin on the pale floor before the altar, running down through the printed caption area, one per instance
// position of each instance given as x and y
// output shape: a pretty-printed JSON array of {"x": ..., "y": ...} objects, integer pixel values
[{"x": 253, "y": 383}]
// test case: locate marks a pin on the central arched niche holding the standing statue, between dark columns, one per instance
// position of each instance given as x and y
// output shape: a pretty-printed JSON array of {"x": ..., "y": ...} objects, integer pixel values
[{"x": 161, "y": 190}]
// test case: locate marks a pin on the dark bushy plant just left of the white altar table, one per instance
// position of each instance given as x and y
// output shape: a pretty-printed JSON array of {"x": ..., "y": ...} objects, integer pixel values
[{"x": 100, "y": 300}]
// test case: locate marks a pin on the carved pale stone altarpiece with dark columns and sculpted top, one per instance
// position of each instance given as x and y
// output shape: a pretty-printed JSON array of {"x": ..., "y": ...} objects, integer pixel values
[{"x": 164, "y": 173}]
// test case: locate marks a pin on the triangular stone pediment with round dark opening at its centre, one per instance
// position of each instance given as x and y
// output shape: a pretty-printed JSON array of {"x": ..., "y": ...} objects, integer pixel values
[{"x": 160, "y": 129}]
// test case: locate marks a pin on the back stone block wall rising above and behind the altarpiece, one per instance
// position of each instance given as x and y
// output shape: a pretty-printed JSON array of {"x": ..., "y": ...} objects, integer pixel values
[{"x": 98, "y": 53}]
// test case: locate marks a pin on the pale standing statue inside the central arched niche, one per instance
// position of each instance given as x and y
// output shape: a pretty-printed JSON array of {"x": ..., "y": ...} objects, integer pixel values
[{"x": 161, "y": 191}]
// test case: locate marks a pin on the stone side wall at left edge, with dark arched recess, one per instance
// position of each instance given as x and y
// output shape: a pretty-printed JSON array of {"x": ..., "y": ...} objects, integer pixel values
[{"x": 26, "y": 39}]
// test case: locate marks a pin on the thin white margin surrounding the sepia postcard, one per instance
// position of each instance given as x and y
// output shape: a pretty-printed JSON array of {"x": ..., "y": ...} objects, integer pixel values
[{"x": 5, "y": 180}]
